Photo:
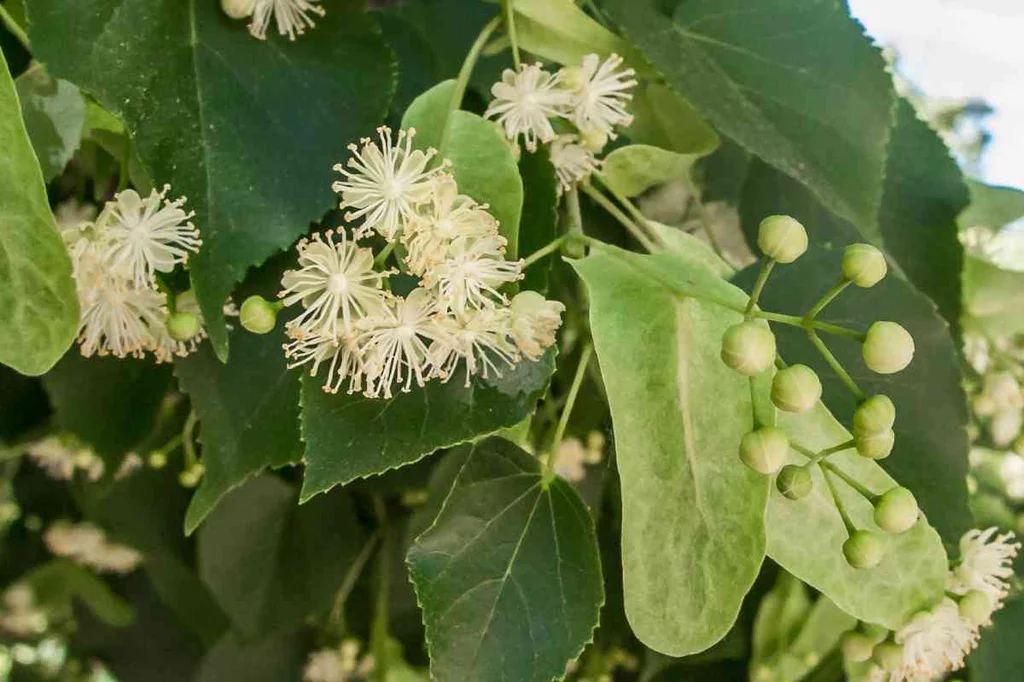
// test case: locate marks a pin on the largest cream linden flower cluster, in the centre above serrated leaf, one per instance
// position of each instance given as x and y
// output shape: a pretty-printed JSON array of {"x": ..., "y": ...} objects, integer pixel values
[{"x": 374, "y": 340}]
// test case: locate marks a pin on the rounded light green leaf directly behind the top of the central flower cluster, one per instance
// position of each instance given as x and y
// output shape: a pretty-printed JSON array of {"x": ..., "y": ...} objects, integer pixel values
[{"x": 482, "y": 159}]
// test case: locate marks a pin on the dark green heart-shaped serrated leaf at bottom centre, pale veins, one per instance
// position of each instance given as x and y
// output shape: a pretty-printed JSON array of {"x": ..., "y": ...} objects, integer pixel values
[{"x": 508, "y": 576}]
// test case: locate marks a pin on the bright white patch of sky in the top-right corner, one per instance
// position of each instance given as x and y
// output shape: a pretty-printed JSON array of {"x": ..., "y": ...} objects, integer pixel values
[{"x": 960, "y": 49}]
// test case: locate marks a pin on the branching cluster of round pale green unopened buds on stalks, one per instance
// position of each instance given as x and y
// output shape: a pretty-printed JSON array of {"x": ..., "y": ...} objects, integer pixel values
[{"x": 749, "y": 348}]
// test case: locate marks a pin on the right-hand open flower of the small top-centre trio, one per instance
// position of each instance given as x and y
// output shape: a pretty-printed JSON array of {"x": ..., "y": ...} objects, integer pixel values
[{"x": 601, "y": 94}]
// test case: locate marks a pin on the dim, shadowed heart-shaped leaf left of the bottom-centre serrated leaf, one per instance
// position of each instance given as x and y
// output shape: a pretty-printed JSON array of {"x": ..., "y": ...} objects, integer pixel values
[{"x": 272, "y": 565}]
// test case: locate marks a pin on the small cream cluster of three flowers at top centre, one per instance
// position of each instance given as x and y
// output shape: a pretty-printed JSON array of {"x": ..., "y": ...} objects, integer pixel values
[{"x": 592, "y": 97}]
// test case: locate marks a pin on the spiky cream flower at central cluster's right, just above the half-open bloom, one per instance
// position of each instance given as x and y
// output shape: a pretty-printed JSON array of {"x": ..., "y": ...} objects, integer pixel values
[{"x": 472, "y": 275}]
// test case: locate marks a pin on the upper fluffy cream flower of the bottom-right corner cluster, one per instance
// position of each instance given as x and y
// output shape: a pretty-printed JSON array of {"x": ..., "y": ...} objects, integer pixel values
[{"x": 986, "y": 565}]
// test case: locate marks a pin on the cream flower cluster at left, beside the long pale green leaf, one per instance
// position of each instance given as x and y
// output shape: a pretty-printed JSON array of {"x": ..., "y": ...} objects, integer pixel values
[{"x": 115, "y": 262}]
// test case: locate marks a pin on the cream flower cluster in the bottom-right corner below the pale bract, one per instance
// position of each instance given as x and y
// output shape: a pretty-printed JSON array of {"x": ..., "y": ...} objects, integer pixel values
[{"x": 937, "y": 642}]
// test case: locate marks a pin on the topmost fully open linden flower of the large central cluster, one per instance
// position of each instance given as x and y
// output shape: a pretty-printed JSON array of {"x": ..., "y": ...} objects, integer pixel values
[{"x": 387, "y": 183}]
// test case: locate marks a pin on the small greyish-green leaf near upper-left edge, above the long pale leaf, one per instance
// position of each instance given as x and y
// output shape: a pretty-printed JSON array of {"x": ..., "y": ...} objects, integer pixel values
[{"x": 55, "y": 117}]
